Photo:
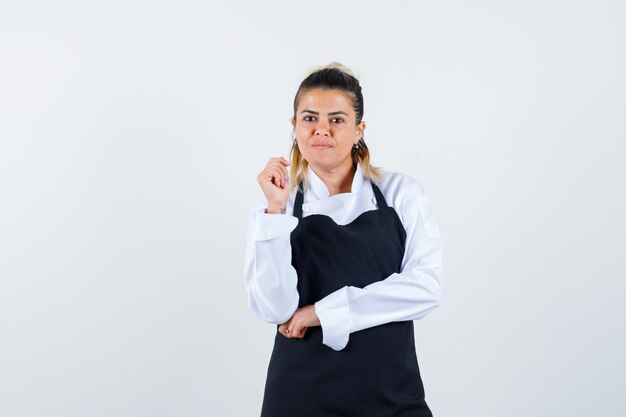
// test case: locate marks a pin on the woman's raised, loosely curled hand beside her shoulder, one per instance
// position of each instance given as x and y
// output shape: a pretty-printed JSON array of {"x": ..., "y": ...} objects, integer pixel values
[{"x": 274, "y": 181}]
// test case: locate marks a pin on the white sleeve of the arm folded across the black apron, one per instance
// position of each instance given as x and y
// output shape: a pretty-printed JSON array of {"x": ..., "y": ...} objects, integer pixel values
[{"x": 408, "y": 295}]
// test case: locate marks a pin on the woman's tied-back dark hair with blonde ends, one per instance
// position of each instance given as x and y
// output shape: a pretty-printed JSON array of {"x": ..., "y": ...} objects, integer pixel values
[{"x": 333, "y": 76}]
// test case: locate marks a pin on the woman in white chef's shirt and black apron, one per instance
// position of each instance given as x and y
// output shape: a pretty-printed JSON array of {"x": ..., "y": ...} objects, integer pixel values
[{"x": 342, "y": 257}]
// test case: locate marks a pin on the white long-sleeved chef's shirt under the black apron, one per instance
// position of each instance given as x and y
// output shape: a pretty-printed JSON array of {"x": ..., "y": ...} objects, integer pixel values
[{"x": 271, "y": 280}]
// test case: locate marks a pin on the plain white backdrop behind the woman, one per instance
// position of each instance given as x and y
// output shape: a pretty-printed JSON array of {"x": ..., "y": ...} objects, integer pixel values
[{"x": 131, "y": 134}]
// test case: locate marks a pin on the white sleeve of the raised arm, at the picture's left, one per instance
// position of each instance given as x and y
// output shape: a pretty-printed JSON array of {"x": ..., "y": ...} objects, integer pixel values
[{"x": 271, "y": 281}]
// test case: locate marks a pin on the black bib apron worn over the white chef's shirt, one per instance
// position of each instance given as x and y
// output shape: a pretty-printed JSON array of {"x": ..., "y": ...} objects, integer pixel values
[{"x": 376, "y": 374}]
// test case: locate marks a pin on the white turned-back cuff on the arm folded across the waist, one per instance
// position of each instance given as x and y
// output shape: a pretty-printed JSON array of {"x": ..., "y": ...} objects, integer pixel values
[{"x": 334, "y": 314}]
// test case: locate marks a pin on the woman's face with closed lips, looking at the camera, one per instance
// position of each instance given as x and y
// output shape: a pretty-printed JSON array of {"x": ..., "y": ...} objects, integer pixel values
[{"x": 325, "y": 127}]
